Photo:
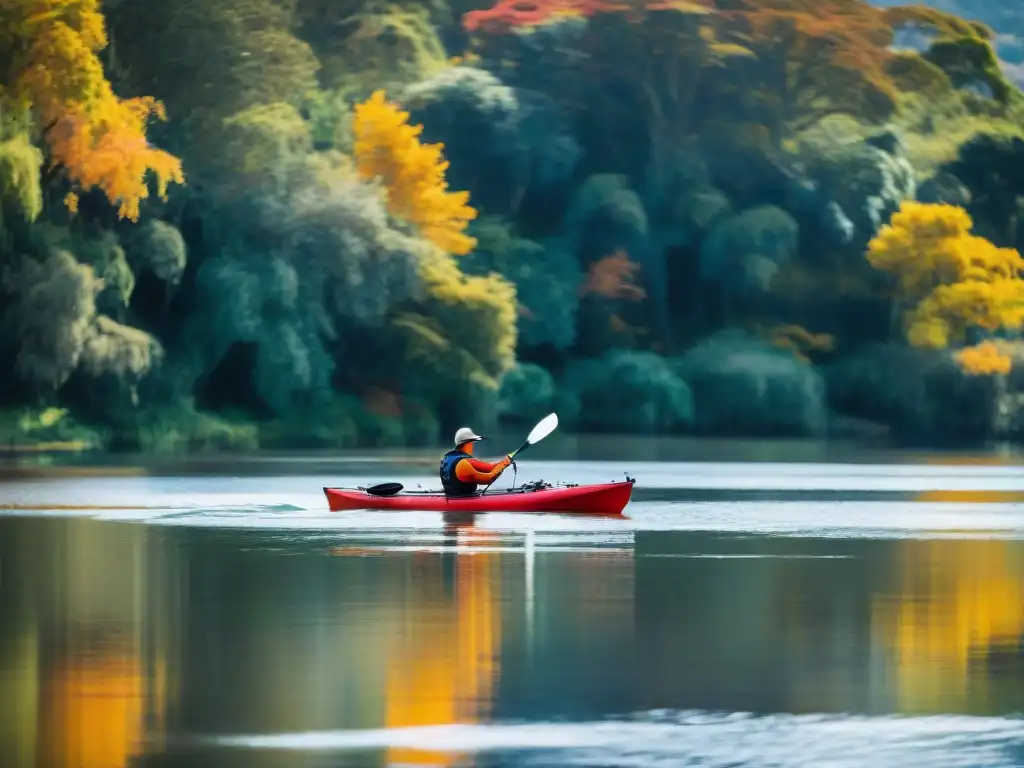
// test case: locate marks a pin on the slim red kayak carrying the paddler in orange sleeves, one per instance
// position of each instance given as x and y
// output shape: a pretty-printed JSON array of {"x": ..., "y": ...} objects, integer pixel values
[{"x": 606, "y": 499}]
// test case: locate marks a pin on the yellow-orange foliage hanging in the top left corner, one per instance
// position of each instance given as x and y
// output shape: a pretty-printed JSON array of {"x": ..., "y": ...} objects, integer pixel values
[{"x": 98, "y": 138}]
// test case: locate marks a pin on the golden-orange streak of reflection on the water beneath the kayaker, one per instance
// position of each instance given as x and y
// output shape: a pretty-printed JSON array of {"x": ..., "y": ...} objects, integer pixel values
[{"x": 445, "y": 661}]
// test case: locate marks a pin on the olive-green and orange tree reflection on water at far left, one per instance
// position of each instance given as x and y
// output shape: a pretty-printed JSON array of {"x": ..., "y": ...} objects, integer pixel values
[{"x": 80, "y": 684}]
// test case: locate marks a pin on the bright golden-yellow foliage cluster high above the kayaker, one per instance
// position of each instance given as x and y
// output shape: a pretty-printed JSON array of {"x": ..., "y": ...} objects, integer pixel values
[{"x": 387, "y": 148}]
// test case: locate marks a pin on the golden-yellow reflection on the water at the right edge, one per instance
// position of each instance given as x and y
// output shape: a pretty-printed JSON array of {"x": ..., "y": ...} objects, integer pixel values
[{"x": 956, "y": 605}]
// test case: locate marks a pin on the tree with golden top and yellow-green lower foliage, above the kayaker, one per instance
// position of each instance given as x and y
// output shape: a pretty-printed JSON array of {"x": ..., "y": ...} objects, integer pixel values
[{"x": 463, "y": 331}]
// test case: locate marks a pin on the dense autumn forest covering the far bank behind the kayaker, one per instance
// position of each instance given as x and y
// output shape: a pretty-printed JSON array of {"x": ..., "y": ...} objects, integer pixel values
[{"x": 325, "y": 224}]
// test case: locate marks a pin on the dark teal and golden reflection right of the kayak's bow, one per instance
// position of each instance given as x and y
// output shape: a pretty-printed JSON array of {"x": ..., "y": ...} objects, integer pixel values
[{"x": 887, "y": 626}]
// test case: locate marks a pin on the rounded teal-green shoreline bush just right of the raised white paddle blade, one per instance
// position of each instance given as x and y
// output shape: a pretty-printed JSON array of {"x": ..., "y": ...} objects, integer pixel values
[{"x": 625, "y": 392}]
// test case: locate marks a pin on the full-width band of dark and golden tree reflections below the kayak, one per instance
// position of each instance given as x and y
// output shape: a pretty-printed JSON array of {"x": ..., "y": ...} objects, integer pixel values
[{"x": 114, "y": 634}]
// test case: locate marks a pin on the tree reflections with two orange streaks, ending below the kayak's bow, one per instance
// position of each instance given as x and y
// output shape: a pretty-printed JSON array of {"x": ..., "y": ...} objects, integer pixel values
[{"x": 116, "y": 634}]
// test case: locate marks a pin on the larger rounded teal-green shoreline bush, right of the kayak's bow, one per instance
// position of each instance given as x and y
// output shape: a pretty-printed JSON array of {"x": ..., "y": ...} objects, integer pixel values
[{"x": 743, "y": 387}]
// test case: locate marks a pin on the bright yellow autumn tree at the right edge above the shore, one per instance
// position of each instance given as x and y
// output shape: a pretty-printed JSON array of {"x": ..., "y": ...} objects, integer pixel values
[{"x": 949, "y": 282}]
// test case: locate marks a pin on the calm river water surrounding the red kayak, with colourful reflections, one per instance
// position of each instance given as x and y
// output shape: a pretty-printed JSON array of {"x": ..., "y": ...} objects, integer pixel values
[{"x": 868, "y": 611}]
